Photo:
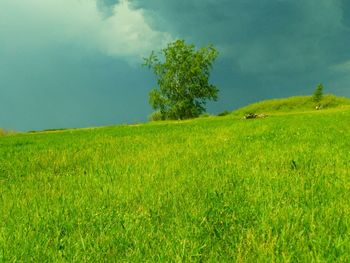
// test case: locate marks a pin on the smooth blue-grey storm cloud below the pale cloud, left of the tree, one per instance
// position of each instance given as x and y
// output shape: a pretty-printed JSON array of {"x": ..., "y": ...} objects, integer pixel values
[{"x": 66, "y": 87}]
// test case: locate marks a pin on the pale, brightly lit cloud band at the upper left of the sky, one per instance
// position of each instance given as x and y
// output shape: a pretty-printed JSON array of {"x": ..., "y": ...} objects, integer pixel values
[{"x": 34, "y": 24}]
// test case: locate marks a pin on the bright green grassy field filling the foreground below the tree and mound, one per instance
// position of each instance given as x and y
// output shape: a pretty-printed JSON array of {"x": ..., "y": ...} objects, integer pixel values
[{"x": 216, "y": 189}]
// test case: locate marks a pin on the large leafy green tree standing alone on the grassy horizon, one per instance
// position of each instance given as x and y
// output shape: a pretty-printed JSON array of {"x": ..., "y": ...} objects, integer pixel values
[{"x": 183, "y": 80}]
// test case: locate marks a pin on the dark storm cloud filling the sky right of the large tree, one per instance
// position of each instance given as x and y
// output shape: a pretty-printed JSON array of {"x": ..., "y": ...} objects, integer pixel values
[{"x": 268, "y": 48}]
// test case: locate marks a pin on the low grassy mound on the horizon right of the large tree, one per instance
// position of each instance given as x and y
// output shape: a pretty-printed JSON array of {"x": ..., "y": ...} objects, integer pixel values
[{"x": 293, "y": 104}]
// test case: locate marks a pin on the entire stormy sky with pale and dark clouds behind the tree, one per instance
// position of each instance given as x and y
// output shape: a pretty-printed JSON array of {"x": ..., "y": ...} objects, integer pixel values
[{"x": 77, "y": 63}]
